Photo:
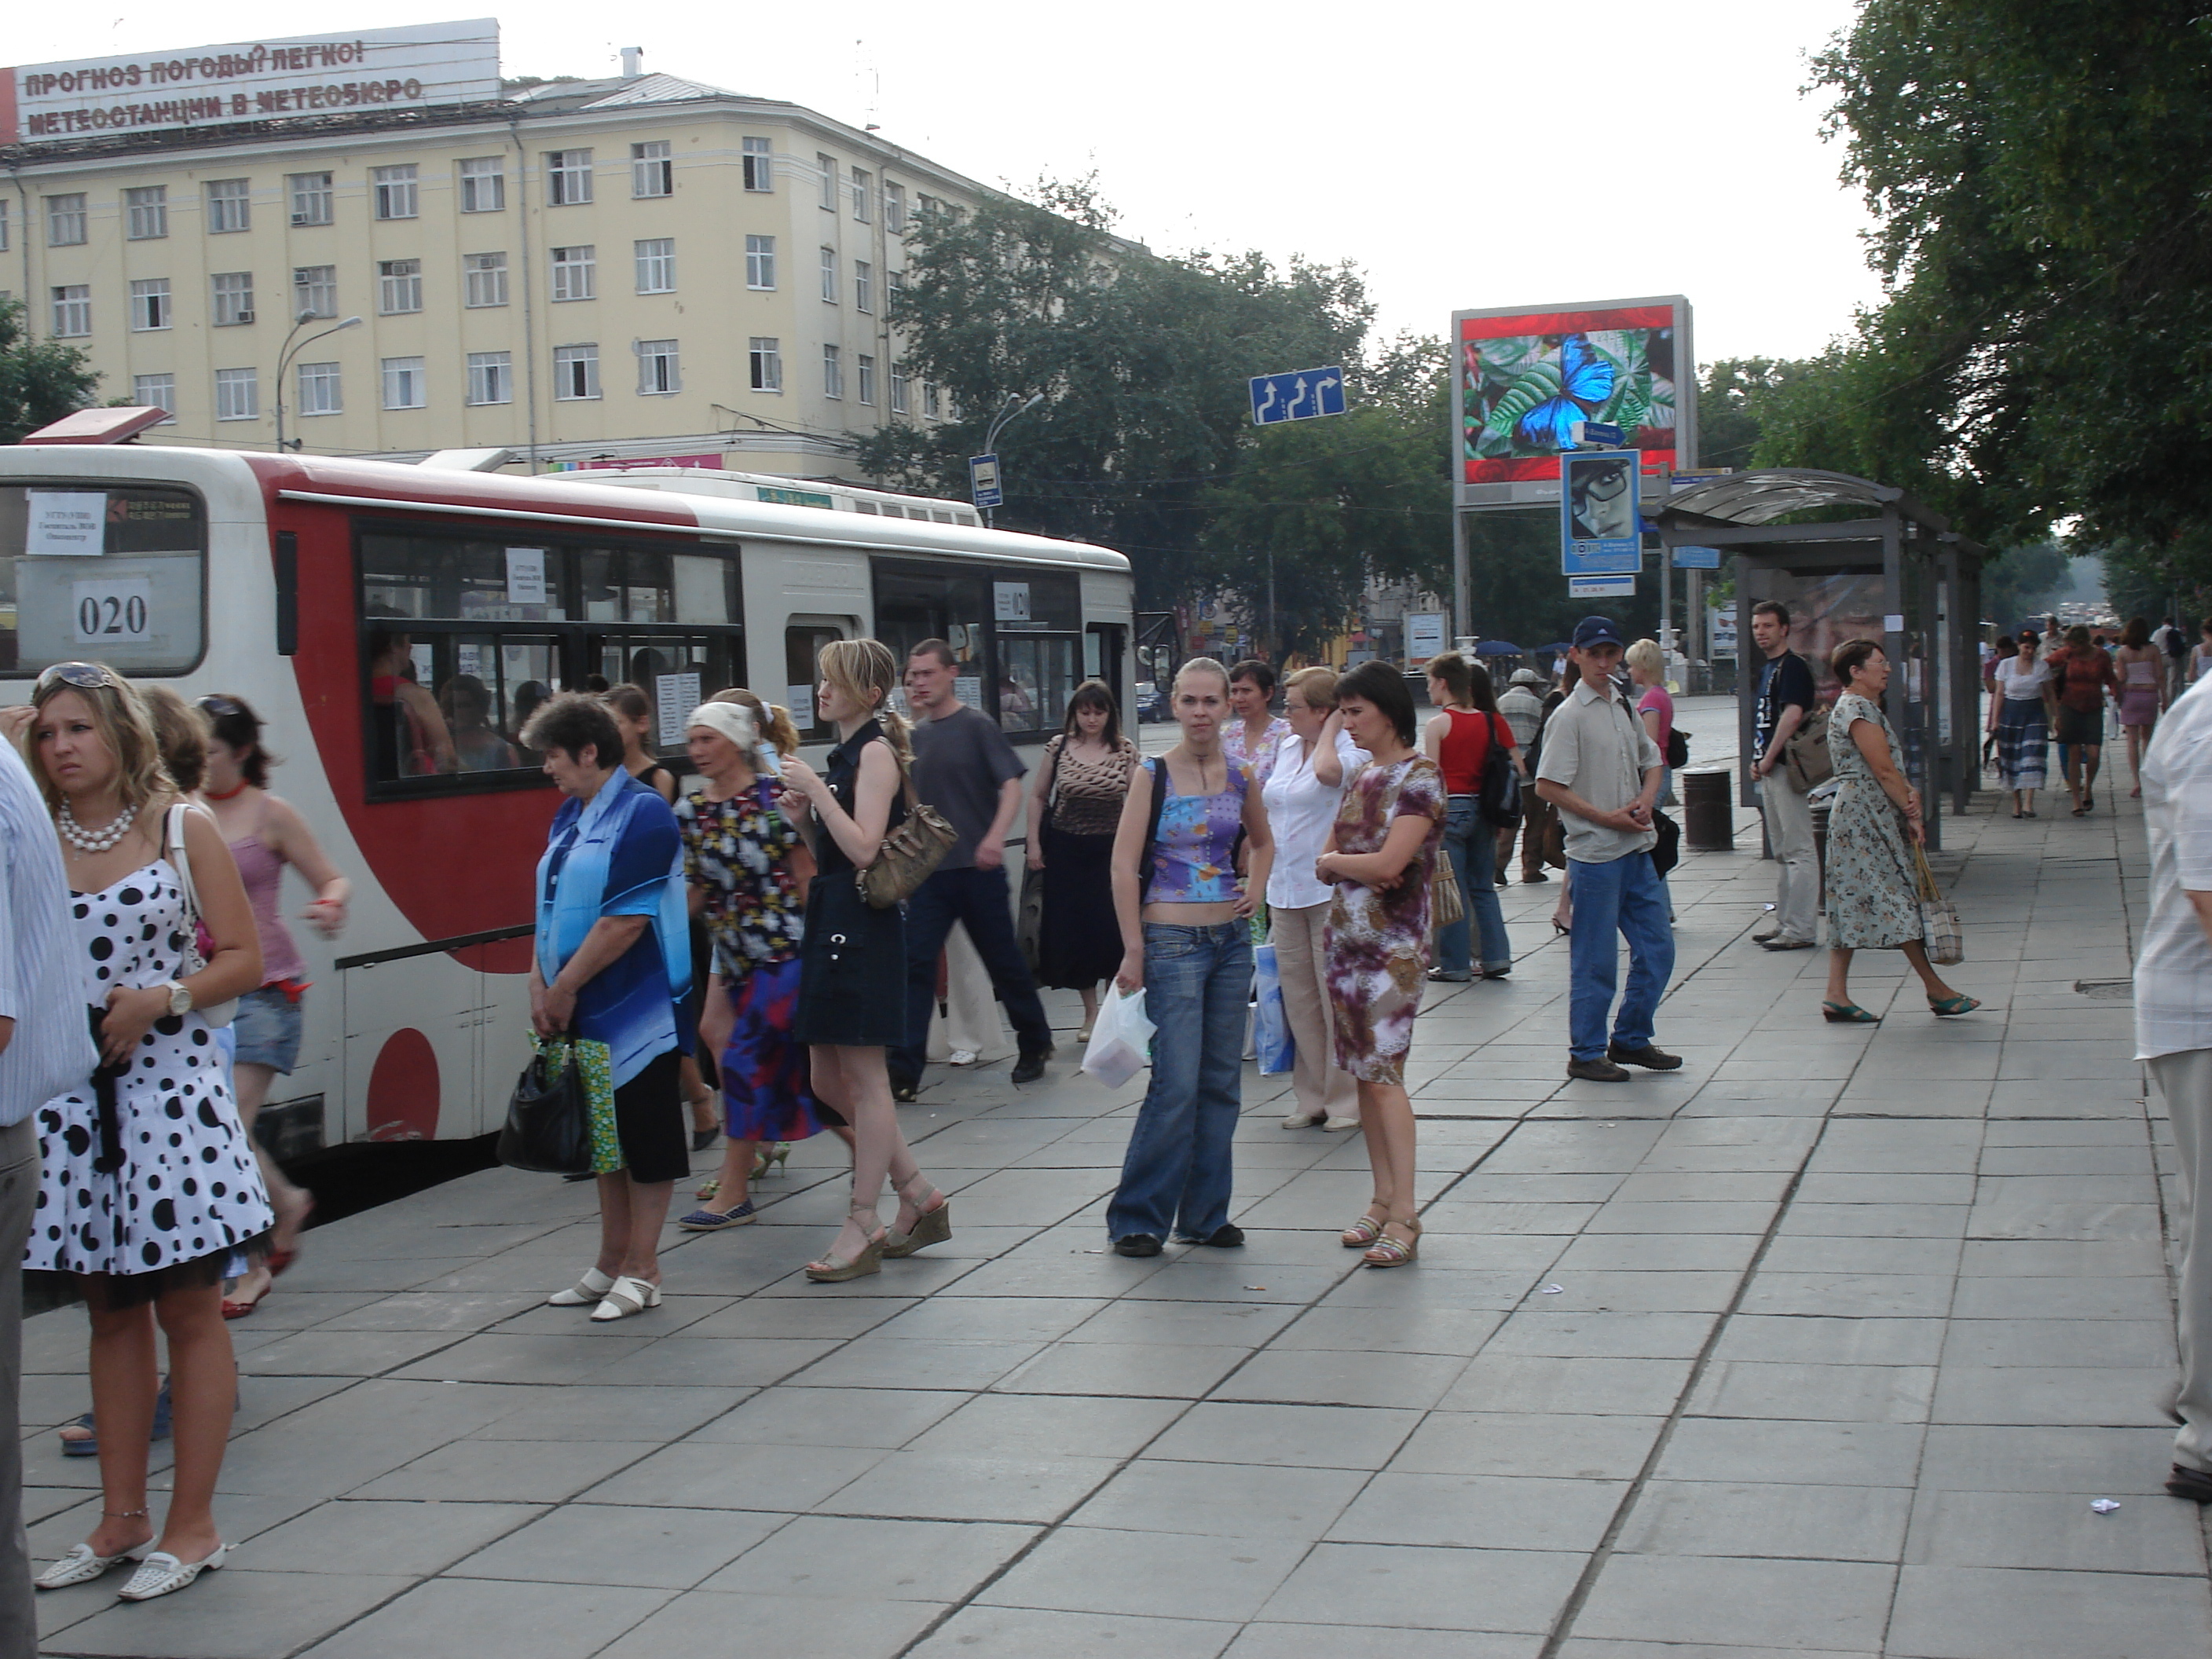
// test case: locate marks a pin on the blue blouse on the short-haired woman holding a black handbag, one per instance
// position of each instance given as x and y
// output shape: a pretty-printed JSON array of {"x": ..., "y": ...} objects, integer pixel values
[{"x": 620, "y": 855}]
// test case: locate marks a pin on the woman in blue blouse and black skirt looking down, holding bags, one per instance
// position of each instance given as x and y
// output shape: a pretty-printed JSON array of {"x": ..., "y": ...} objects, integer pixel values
[{"x": 614, "y": 966}]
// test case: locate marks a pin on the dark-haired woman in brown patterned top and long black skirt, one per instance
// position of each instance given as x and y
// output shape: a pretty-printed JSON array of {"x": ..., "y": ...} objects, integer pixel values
[{"x": 1074, "y": 808}]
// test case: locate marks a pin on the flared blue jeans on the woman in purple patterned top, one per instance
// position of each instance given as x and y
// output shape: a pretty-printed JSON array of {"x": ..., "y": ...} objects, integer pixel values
[{"x": 1178, "y": 1165}]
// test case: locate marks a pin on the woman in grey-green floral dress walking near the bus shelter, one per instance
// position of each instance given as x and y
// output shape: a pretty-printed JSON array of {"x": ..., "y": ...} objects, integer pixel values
[{"x": 1872, "y": 888}]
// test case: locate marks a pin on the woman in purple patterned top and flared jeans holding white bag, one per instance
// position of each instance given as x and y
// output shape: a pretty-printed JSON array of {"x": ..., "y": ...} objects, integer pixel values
[{"x": 1187, "y": 943}]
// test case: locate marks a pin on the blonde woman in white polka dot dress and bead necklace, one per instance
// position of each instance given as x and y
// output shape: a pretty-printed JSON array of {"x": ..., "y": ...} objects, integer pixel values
[{"x": 149, "y": 1182}]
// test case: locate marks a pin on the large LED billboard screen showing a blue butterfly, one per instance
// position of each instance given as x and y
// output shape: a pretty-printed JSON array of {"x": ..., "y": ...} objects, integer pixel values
[{"x": 1525, "y": 377}]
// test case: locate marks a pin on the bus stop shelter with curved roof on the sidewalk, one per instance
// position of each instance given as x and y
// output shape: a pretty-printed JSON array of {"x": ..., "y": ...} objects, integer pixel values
[{"x": 1855, "y": 561}]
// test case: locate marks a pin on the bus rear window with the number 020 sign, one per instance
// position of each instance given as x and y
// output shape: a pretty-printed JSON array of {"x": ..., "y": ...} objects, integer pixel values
[{"x": 114, "y": 574}]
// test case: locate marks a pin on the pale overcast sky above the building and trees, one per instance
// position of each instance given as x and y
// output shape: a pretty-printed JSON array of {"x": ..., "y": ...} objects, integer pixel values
[{"x": 1461, "y": 156}]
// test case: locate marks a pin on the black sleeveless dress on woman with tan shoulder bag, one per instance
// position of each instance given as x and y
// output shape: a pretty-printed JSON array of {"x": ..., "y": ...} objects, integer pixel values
[{"x": 853, "y": 977}]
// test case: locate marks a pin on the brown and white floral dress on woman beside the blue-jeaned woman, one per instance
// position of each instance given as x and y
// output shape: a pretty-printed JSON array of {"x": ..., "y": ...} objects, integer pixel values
[{"x": 1379, "y": 939}]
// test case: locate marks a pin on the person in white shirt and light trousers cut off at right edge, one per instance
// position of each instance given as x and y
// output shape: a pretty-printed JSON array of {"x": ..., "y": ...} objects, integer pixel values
[{"x": 2173, "y": 1036}]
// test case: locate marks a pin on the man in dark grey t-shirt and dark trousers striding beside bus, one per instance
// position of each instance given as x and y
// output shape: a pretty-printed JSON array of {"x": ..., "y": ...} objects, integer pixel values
[{"x": 968, "y": 771}]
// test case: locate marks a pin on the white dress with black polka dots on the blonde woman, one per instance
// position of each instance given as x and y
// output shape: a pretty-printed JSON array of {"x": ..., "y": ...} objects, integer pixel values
[{"x": 187, "y": 1182}]
